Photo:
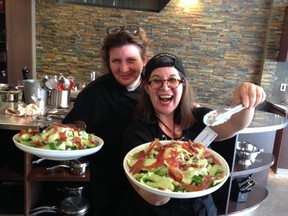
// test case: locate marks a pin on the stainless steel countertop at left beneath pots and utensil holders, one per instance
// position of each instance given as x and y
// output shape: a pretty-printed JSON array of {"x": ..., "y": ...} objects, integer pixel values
[{"x": 11, "y": 122}]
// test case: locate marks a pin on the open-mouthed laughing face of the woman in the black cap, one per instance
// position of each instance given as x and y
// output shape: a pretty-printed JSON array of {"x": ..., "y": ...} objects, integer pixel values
[{"x": 165, "y": 100}]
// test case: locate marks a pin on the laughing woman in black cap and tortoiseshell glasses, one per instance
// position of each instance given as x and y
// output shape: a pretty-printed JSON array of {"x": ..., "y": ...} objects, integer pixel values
[{"x": 165, "y": 112}]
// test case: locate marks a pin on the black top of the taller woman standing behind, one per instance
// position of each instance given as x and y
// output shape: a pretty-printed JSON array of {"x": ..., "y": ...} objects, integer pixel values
[{"x": 106, "y": 107}]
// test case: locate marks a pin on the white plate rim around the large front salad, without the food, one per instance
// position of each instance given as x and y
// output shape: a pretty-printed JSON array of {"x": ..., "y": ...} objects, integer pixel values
[{"x": 171, "y": 194}]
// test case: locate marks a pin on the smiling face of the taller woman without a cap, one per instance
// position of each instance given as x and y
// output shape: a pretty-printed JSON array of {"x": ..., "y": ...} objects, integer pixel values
[{"x": 126, "y": 64}]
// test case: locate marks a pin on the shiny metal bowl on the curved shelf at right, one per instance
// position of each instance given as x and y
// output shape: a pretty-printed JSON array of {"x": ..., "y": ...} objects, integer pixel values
[{"x": 246, "y": 152}]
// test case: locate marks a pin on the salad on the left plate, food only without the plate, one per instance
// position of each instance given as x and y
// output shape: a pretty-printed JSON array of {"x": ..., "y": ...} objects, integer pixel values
[{"x": 58, "y": 137}]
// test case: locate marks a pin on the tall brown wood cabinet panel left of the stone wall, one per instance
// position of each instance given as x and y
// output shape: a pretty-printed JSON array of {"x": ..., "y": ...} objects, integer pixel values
[{"x": 20, "y": 38}]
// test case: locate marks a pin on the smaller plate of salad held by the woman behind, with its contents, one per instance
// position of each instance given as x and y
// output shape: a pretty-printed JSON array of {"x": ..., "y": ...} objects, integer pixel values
[{"x": 58, "y": 142}]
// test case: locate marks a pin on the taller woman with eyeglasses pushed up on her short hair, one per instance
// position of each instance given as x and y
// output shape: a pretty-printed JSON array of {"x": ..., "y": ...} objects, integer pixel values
[{"x": 106, "y": 106}]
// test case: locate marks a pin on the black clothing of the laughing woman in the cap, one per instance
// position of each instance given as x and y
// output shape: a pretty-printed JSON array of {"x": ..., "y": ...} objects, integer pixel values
[{"x": 139, "y": 133}]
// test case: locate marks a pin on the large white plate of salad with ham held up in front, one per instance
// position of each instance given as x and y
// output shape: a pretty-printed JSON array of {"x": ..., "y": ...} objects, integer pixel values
[{"x": 176, "y": 169}]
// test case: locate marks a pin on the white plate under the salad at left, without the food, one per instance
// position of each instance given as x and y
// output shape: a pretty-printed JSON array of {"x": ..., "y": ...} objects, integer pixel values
[{"x": 58, "y": 154}]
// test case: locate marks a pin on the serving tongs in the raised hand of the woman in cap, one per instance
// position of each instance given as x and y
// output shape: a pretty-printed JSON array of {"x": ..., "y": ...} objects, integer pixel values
[{"x": 214, "y": 118}]
